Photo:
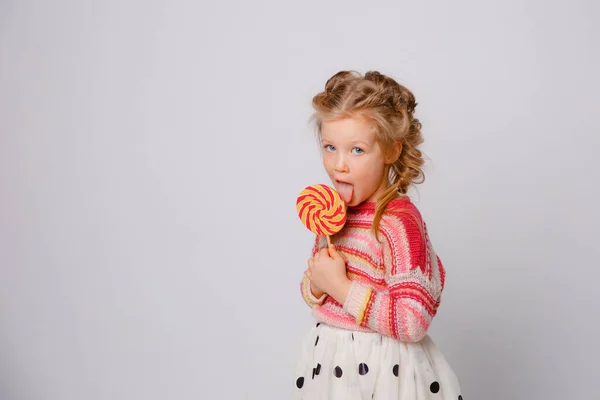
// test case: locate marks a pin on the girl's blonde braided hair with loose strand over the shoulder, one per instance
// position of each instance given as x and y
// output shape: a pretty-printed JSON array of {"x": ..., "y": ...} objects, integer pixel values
[{"x": 391, "y": 106}]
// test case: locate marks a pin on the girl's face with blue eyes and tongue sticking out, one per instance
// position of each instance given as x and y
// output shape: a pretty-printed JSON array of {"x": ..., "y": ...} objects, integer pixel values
[{"x": 354, "y": 160}]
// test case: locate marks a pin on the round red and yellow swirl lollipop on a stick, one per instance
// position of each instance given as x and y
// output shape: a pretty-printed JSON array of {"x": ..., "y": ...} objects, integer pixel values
[{"x": 321, "y": 210}]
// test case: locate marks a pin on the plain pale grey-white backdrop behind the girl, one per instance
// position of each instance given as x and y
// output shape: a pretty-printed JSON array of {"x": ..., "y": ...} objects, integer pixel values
[{"x": 151, "y": 154}]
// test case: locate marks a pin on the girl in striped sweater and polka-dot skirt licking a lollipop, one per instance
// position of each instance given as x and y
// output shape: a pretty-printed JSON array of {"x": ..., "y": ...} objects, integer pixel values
[{"x": 375, "y": 290}]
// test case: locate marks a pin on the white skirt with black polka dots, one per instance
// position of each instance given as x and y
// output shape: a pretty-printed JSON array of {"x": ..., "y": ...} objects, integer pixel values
[{"x": 348, "y": 365}]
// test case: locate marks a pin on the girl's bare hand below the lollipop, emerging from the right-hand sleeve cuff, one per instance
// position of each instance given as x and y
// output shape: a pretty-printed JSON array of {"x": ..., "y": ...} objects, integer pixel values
[{"x": 327, "y": 273}]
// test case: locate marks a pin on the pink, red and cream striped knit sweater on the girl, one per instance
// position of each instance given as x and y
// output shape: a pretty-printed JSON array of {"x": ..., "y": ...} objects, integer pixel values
[{"x": 396, "y": 284}]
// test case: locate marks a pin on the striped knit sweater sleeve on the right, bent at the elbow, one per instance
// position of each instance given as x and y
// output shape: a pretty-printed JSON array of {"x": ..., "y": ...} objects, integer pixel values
[{"x": 414, "y": 278}]
